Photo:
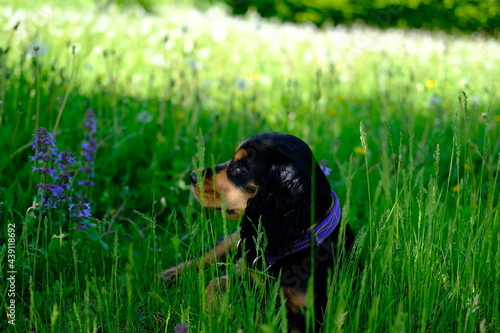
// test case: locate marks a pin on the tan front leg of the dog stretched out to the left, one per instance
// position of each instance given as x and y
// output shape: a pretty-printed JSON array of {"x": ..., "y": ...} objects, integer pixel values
[{"x": 212, "y": 256}]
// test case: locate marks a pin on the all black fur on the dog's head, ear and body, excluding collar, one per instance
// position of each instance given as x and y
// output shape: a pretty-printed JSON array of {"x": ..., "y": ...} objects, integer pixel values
[{"x": 293, "y": 193}]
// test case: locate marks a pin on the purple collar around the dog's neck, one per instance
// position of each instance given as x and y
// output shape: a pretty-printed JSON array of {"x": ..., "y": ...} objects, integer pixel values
[{"x": 320, "y": 232}]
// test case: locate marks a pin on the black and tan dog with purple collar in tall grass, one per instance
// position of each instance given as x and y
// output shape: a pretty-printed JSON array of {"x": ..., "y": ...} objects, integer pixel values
[{"x": 274, "y": 185}]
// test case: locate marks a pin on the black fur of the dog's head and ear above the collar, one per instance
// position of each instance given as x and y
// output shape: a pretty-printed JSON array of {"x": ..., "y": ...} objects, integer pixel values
[{"x": 283, "y": 167}]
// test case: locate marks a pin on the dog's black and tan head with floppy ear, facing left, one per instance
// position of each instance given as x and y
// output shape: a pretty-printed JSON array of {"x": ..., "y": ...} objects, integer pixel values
[{"x": 273, "y": 179}]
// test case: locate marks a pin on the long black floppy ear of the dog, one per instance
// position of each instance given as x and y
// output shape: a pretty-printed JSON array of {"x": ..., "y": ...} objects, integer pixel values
[{"x": 283, "y": 204}]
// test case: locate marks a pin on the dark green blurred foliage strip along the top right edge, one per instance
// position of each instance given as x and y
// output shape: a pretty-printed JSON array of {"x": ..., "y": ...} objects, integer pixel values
[{"x": 463, "y": 15}]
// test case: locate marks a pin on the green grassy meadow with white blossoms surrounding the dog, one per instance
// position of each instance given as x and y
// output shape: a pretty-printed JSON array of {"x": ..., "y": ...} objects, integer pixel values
[{"x": 408, "y": 121}]
